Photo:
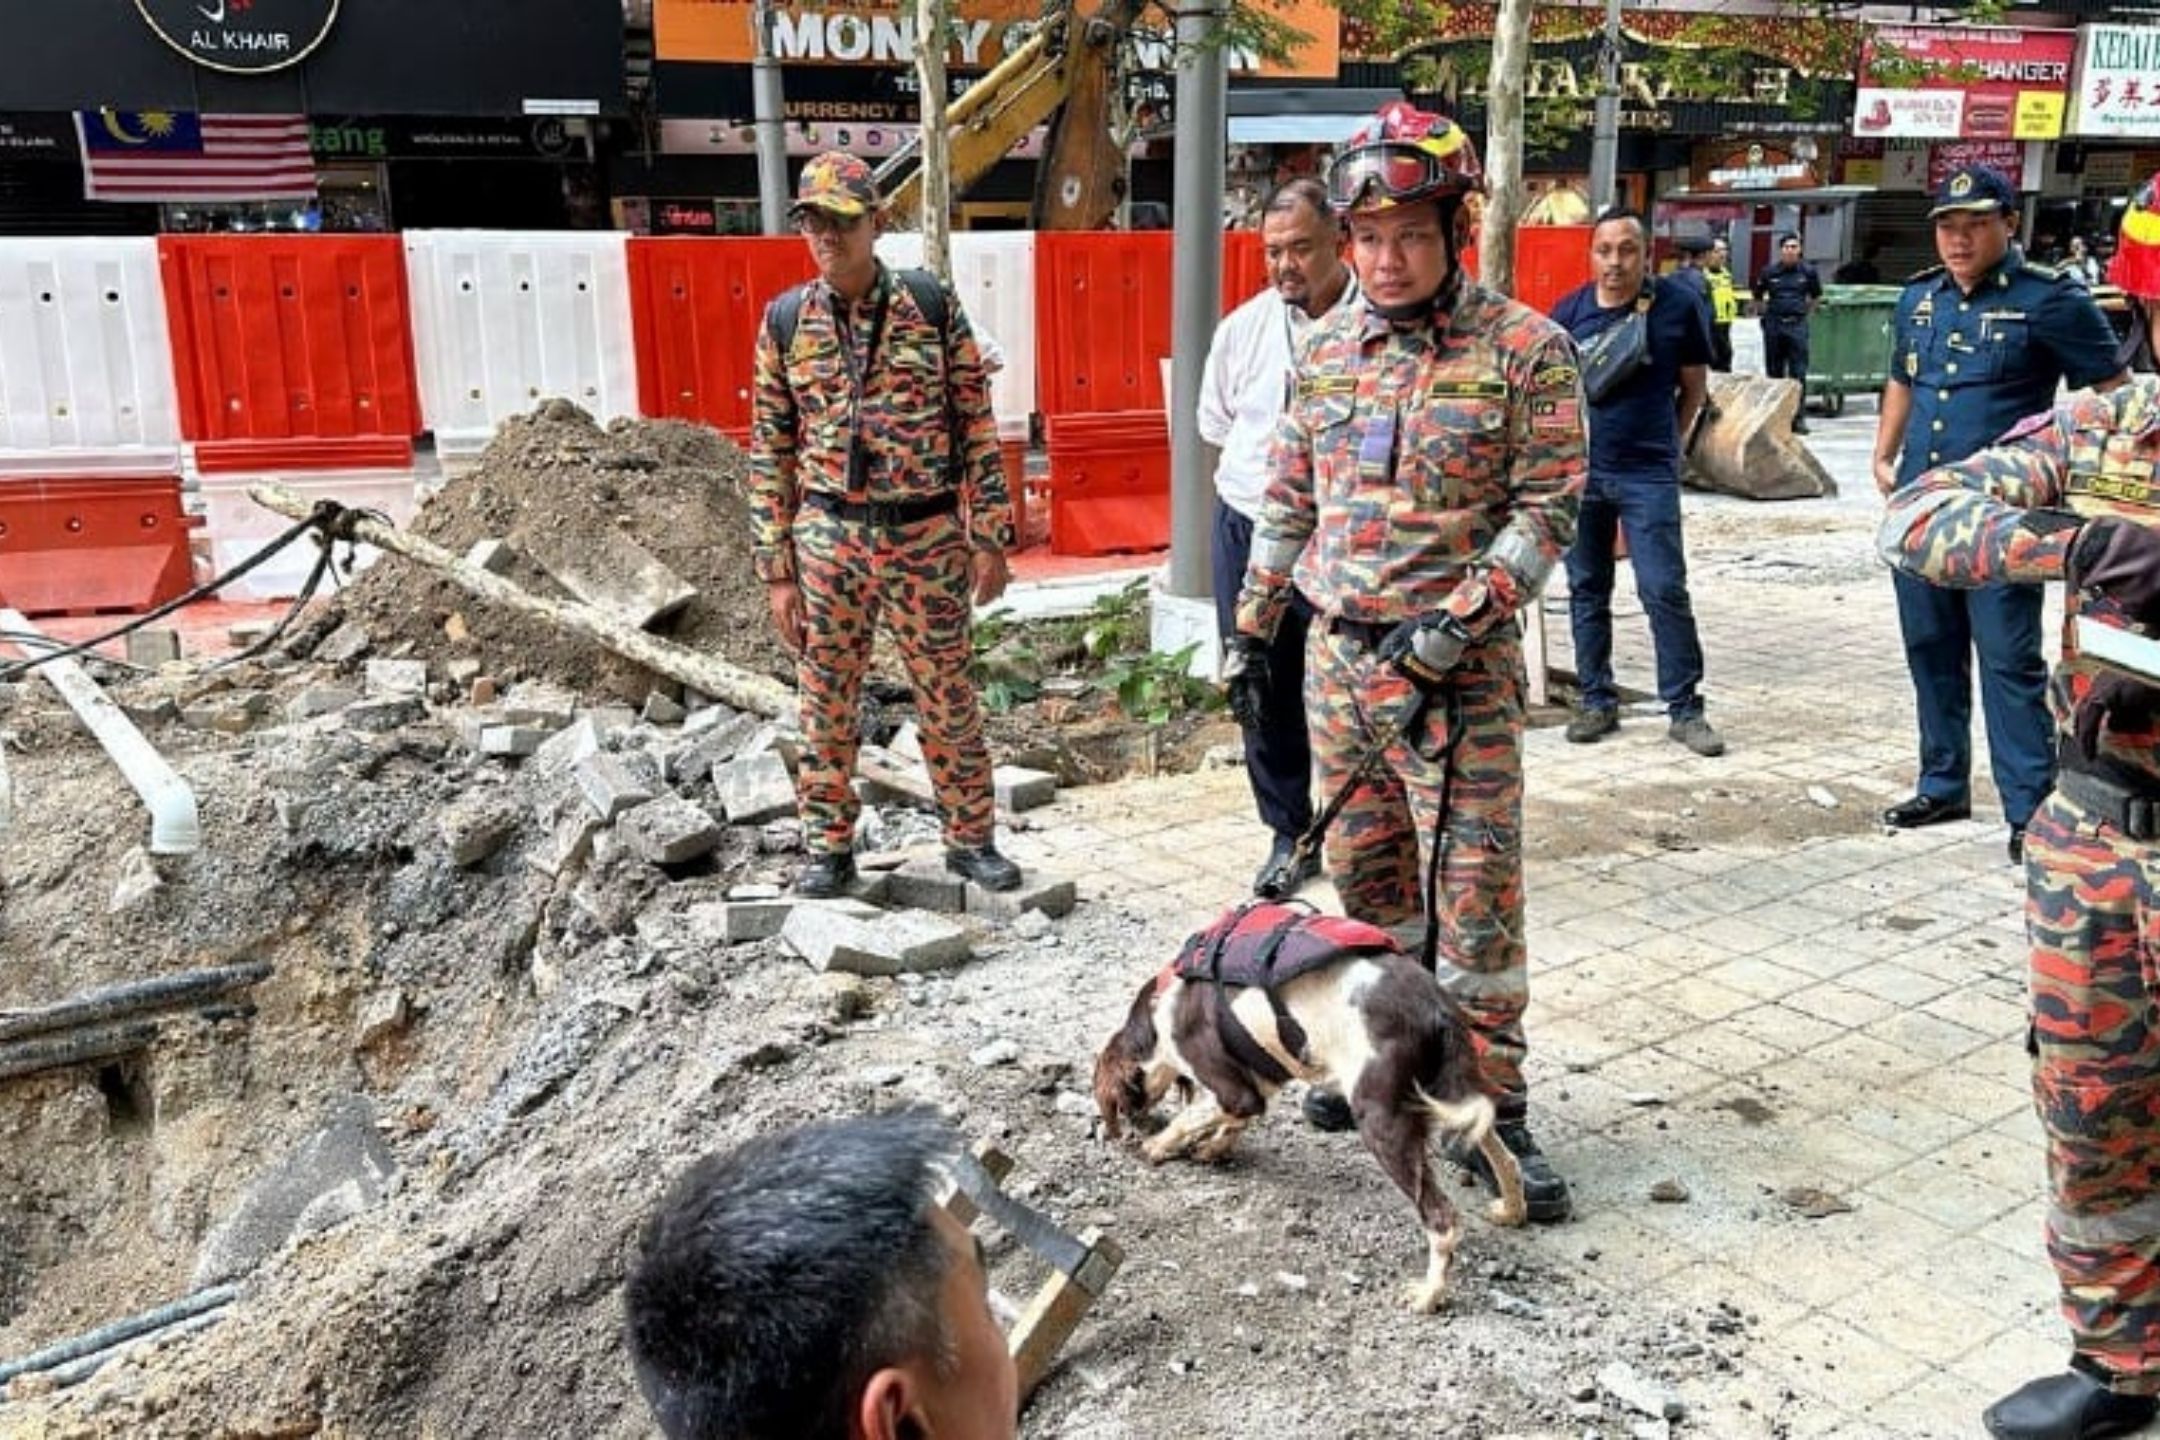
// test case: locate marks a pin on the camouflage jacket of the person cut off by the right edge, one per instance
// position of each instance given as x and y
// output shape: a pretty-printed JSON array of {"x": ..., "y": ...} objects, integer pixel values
[{"x": 1973, "y": 521}]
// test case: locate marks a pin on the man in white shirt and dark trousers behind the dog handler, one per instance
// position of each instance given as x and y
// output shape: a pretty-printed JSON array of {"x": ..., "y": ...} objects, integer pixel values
[{"x": 1243, "y": 396}]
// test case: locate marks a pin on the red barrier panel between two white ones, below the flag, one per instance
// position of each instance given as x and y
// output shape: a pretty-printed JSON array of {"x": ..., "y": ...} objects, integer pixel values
[{"x": 291, "y": 338}]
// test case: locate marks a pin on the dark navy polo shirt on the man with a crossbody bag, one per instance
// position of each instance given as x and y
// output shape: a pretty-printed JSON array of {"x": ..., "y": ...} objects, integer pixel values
[{"x": 1636, "y": 431}]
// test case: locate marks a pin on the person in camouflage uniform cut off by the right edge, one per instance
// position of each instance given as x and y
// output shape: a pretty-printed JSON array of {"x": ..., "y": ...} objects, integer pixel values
[{"x": 2075, "y": 495}]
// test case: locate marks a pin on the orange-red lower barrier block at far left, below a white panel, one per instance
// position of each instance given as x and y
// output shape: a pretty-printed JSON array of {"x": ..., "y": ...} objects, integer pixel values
[{"x": 79, "y": 547}]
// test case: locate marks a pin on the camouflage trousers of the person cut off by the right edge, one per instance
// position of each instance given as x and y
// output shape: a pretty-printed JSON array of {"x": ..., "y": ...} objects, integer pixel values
[{"x": 2094, "y": 921}]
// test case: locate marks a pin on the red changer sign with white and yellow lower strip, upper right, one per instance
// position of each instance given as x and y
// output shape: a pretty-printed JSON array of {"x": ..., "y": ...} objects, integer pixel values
[{"x": 1949, "y": 83}]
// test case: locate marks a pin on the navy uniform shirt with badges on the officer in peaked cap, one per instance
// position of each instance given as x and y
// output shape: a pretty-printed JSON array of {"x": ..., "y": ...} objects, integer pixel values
[{"x": 1982, "y": 364}]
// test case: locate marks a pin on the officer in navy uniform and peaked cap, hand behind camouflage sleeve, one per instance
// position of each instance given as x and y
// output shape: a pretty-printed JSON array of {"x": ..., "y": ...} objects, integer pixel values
[{"x": 1980, "y": 342}]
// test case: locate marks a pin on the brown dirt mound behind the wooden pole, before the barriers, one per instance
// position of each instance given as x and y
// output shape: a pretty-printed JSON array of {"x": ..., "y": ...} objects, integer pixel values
[{"x": 673, "y": 489}]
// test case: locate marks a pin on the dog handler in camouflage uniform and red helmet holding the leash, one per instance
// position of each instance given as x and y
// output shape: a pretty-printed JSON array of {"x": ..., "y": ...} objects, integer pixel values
[{"x": 1425, "y": 485}]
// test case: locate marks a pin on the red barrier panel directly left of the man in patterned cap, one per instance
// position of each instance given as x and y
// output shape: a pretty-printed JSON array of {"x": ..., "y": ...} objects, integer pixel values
[{"x": 694, "y": 312}]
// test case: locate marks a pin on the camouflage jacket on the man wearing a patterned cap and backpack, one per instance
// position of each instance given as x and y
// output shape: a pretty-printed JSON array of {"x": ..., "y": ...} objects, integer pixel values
[{"x": 805, "y": 420}]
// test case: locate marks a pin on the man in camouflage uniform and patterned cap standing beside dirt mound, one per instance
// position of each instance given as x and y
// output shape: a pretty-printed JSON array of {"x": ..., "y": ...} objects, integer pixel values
[{"x": 878, "y": 493}]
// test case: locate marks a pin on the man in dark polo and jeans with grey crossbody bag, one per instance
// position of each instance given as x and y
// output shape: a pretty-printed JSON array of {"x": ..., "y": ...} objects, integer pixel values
[{"x": 1636, "y": 485}]
